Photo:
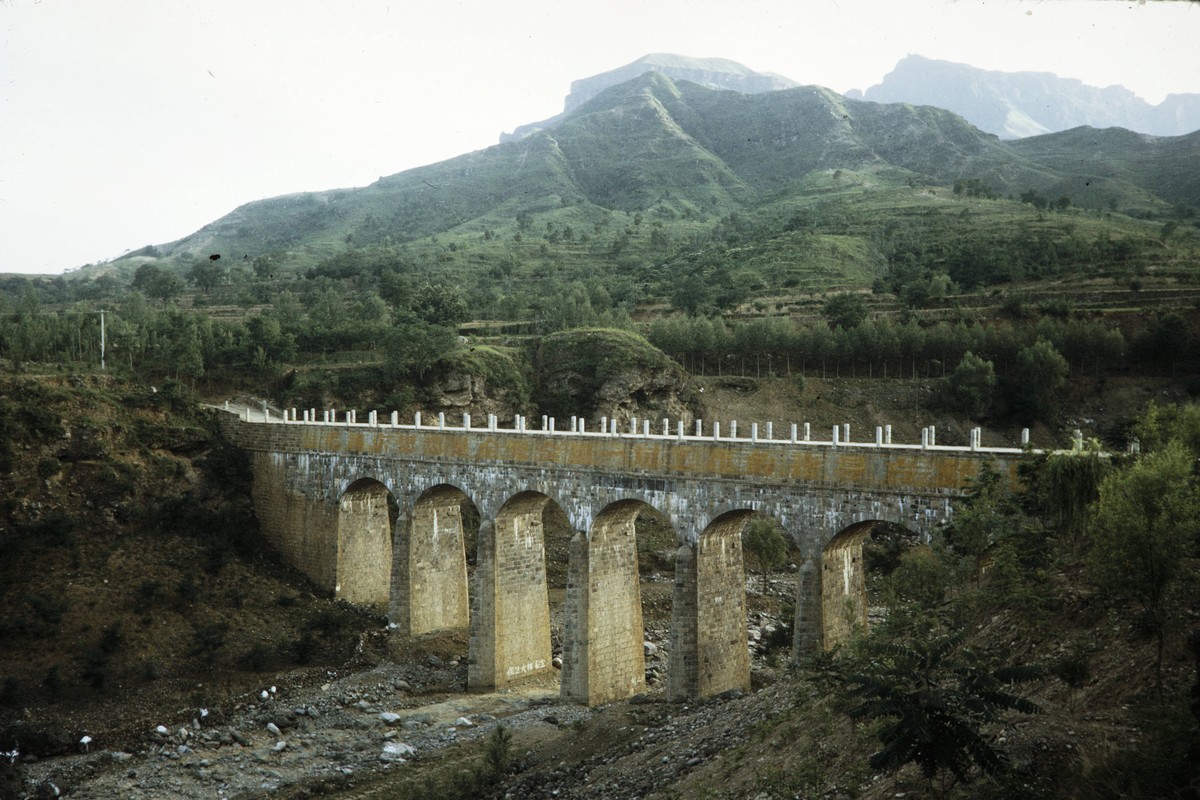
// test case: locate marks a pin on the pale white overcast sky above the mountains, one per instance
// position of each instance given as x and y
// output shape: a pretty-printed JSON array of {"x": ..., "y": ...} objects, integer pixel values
[{"x": 128, "y": 123}]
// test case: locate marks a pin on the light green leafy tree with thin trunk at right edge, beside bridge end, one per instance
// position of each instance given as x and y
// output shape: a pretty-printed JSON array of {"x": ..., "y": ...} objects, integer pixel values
[{"x": 1147, "y": 526}]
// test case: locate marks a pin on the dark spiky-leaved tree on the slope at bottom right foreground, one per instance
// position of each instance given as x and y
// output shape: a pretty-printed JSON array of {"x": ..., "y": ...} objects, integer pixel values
[{"x": 934, "y": 697}]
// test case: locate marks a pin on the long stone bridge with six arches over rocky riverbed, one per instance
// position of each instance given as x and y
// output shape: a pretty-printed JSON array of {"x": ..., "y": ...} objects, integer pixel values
[{"x": 374, "y": 512}]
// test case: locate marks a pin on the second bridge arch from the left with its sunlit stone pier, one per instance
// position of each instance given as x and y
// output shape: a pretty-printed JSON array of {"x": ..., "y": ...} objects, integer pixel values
[{"x": 430, "y": 591}]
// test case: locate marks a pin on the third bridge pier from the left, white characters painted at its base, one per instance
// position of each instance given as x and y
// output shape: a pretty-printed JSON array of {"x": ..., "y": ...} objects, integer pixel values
[{"x": 511, "y": 639}]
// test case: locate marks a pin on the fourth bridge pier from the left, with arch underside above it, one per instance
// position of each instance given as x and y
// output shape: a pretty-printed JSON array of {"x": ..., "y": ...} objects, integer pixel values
[{"x": 604, "y": 657}]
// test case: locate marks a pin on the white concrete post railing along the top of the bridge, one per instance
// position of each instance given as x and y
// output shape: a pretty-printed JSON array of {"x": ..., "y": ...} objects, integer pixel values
[{"x": 799, "y": 435}]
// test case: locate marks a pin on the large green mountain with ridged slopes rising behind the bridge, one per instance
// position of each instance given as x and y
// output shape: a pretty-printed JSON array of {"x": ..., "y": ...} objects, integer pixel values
[{"x": 682, "y": 158}]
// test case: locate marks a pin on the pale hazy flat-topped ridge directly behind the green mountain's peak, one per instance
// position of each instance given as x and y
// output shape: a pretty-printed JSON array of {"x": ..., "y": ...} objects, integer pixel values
[{"x": 712, "y": 74}]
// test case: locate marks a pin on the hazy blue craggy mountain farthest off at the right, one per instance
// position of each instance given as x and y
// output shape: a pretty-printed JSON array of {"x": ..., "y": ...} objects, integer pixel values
[{"x": 1017, "y": 105}]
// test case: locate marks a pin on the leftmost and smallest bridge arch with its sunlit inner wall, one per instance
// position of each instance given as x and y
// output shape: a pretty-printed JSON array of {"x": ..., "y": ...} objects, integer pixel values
[{"x": 367, "y": 516}]
